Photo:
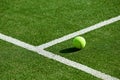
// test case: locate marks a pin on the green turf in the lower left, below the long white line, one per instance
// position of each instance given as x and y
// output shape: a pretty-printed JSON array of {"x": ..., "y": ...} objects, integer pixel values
[{"x": 20, "y": 64}]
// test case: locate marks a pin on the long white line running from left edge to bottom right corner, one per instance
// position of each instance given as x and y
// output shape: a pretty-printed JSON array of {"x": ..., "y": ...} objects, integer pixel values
[{"x": 58, "y": 58}]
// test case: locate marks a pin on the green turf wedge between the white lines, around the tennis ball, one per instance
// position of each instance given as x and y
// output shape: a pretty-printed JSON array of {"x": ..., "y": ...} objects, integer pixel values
[{"x": 101, "y": 52}]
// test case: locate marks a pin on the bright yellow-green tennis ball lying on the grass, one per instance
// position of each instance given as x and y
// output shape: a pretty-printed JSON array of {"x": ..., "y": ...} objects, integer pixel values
[{"x": 79, "y": 42}]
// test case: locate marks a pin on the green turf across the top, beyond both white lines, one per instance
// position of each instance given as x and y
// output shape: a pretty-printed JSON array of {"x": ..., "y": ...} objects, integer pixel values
[{"x": 40, "y": 21}]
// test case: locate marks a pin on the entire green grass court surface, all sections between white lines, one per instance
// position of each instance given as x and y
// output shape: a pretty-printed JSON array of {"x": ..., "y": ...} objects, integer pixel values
[{"x": 39, "y": 21}]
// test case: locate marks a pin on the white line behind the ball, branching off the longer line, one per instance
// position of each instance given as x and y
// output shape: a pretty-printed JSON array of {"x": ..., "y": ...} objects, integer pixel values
[{"x": 83, "y": 31}]
